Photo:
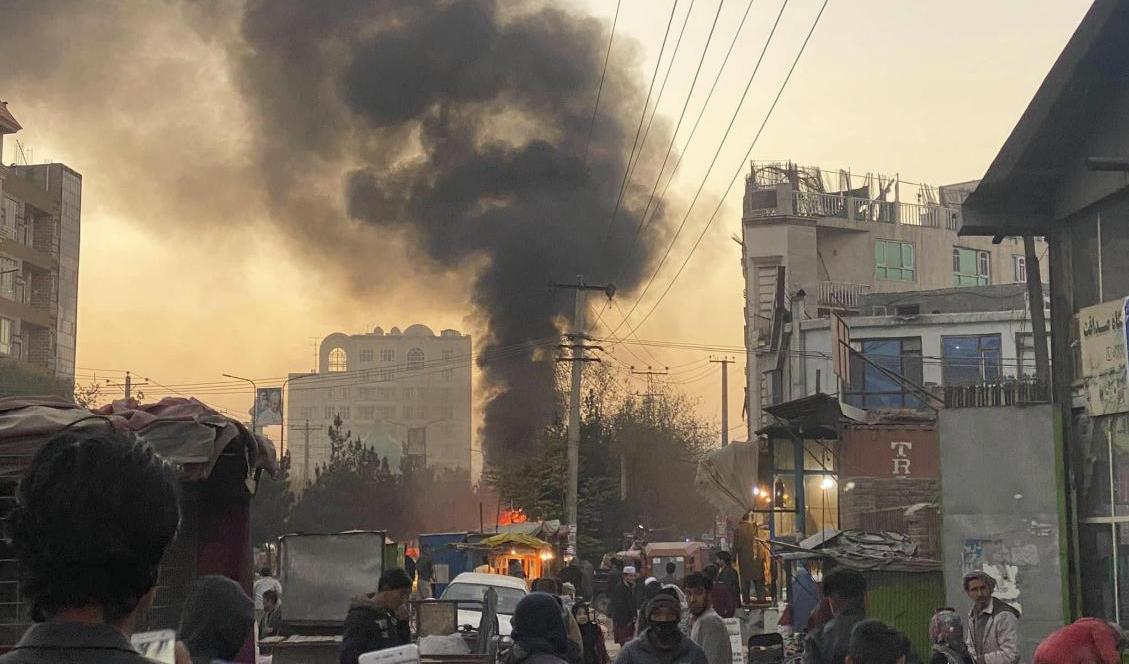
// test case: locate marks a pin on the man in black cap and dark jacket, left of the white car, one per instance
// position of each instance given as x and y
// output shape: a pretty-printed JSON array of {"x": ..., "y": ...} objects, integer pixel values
[{"x": 379, "y": 621}]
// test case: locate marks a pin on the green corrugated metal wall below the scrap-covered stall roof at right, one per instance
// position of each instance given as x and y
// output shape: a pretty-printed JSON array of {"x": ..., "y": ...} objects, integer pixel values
[{"x": 906, "y": 601}]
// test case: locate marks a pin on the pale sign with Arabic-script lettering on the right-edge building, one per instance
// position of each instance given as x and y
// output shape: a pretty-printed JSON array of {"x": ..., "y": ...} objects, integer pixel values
[{"x": 1105, "y": 357}]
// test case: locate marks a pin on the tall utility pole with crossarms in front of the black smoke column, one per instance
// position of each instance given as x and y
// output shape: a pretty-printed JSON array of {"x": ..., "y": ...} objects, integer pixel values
[{"x": 577, "y": 347}]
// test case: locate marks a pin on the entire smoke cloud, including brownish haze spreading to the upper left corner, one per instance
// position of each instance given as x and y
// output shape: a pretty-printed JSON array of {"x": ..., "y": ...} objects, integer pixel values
[{"x": 454, "y": 132}]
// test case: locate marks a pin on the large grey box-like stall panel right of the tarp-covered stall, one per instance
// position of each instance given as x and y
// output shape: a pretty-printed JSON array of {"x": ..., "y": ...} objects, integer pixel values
[{"x": 321, "y": 574}]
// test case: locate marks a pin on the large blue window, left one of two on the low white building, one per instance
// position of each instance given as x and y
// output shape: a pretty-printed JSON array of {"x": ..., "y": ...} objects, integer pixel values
[{"x": 872, "y": 388}]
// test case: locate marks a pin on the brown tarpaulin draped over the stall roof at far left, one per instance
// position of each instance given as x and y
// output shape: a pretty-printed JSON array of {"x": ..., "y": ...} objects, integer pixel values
[{"x": 185, "y": 432}]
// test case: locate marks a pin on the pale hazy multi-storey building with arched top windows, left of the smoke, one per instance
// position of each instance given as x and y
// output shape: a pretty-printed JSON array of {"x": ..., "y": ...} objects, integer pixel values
[{"x": 406, "y": 394}]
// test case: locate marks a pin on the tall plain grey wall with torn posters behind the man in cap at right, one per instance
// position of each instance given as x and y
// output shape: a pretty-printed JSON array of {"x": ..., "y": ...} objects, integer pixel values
[{"x": 1002, "y": 513}]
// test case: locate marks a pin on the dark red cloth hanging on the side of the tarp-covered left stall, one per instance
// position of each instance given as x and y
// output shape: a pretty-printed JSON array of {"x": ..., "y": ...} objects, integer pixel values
[{"x": 224, "y": 548}]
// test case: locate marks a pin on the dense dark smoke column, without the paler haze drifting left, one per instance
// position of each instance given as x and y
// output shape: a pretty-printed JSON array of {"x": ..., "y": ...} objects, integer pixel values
[{"x": 471, "y": 123}]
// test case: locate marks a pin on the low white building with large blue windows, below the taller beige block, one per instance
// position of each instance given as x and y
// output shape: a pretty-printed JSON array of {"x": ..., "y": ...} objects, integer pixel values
[{"x": 933, "y": 339}]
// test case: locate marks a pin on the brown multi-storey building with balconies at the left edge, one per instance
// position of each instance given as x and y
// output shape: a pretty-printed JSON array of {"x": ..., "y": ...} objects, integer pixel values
[{"x": 40, "y": 233}]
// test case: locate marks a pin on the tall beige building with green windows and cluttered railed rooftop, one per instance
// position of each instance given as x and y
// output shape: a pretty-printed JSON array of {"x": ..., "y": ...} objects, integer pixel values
[{"x": 834, "y": 238}]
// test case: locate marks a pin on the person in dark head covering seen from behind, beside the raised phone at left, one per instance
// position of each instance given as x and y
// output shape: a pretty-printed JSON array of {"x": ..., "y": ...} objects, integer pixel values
[{"x": 217, "y": 621}]
